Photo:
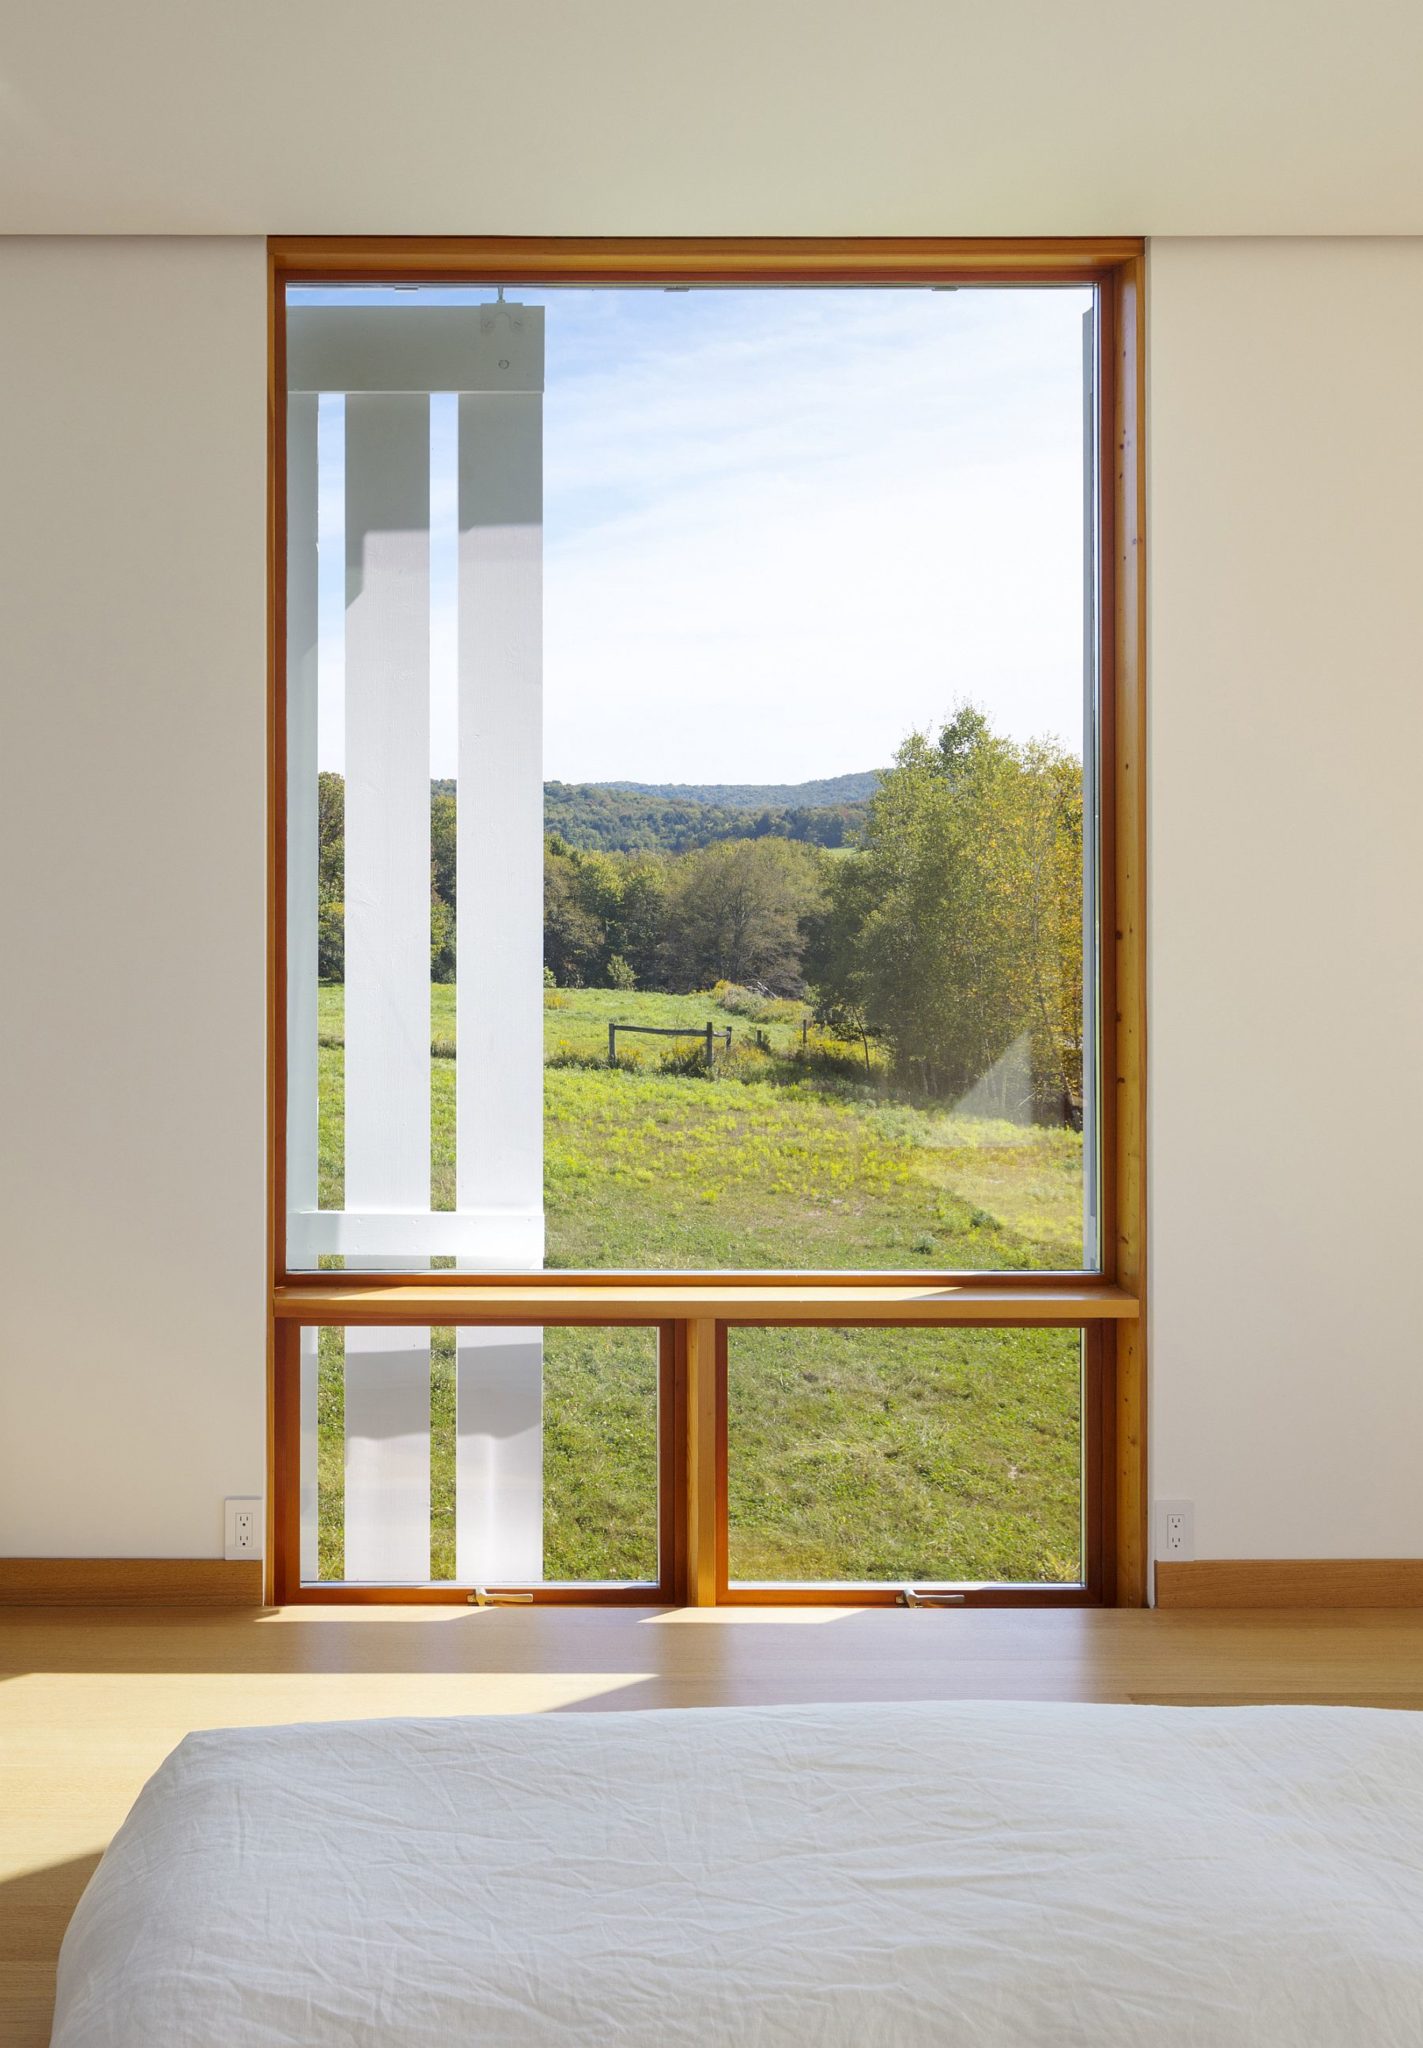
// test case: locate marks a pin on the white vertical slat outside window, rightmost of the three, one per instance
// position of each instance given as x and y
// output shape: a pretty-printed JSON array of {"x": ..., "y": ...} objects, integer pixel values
[{"x": 501, "y": 943}]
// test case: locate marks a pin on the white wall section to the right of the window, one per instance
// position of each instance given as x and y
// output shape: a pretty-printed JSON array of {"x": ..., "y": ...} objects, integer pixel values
[{"x": 1287, "y": 849}]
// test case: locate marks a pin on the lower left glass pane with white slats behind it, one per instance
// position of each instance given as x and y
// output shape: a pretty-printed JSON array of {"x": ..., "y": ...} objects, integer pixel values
[{"x": 423, "y": 1471}]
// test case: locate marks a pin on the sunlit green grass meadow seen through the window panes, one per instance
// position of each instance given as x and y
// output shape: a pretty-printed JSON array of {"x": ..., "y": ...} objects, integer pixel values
[{"x": 853, "y": 1455}]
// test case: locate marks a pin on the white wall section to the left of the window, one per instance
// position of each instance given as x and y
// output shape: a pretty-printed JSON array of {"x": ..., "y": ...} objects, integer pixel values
[{"x": 132, "y": 894}]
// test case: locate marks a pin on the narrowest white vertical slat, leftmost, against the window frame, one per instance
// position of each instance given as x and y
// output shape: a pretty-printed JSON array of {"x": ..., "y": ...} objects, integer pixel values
[{"x": 302, "y": 894}]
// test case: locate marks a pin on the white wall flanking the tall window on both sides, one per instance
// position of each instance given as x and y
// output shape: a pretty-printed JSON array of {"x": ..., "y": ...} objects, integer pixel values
[{"x": 1287, "y": 845}]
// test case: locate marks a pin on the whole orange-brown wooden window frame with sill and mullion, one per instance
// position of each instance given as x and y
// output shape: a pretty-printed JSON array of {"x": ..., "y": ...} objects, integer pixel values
[{"x": 695, "y": 1310}]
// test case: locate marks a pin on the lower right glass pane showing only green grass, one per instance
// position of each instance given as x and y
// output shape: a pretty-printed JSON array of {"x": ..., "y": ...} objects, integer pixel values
[{"x": 906, "y": 1455}]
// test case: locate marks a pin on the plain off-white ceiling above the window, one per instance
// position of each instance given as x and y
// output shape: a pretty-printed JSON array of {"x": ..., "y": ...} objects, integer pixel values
[{"x": 1172, "y": 118}]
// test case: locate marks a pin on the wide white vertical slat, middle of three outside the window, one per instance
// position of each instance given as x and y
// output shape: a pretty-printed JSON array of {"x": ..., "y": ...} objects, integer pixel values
[{"x": 388, "y": 955}]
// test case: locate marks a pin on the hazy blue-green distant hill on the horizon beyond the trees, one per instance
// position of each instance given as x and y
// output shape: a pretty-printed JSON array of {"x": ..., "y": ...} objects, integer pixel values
[{"x": 679, "y": 816}]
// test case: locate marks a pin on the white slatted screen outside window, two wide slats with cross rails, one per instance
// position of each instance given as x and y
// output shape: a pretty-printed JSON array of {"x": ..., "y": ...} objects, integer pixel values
[{"x": 388, "y": 361}]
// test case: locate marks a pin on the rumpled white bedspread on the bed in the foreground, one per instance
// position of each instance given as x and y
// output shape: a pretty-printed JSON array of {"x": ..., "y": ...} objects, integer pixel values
[{"x": 814, "y": 1875}]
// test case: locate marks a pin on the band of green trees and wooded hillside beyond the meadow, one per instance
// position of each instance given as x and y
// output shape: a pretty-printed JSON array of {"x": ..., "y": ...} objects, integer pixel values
[{"x": 945, "y": 933}]
